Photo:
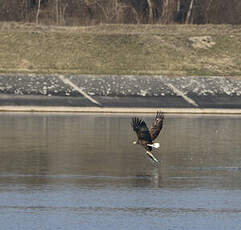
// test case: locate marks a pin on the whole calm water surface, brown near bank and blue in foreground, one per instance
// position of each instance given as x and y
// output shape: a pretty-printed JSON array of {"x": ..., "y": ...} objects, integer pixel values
[{"x": 81, "y": 171}]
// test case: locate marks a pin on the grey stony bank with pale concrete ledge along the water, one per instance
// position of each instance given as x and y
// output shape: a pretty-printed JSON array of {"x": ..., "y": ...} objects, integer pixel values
[{"x": 119, "y": 93}]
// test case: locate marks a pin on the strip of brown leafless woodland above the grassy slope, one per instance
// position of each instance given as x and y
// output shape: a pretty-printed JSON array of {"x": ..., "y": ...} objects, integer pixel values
[{"x": 86, "y": 12}]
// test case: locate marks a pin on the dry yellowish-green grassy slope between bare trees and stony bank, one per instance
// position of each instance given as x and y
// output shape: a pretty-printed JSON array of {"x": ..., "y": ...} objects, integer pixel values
[{"x": 120, "y": 49}]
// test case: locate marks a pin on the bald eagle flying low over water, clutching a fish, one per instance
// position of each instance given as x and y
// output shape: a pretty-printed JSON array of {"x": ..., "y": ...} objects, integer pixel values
[{"x": 146, "y": 137}]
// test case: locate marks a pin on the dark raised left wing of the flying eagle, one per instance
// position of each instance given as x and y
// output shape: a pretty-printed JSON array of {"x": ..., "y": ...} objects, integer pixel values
[{"x": 139, "y": 126}]
